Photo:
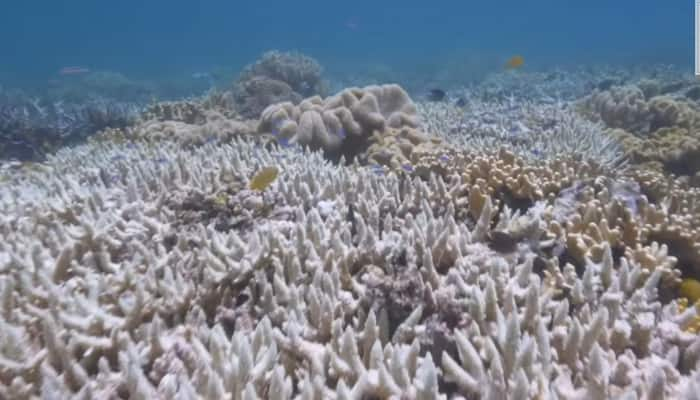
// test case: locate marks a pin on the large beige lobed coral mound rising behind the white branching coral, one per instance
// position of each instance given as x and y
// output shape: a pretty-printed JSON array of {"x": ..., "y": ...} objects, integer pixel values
[{"x": 378, "y": 122}]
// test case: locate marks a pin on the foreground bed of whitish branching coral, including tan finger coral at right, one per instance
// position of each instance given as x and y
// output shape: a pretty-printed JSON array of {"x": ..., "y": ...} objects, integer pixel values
[{"x": 137, "y": 271}]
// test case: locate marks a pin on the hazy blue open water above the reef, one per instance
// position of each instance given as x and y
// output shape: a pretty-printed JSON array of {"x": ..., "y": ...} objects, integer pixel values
[{"x": 148, "y": 39}]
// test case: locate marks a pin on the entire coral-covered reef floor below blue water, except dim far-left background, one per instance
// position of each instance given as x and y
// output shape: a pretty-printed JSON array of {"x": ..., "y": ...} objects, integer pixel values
[{"x": 535, "y": 235}]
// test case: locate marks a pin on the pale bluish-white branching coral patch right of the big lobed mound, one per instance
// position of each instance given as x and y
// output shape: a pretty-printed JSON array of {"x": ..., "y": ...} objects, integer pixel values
[{"x": 532, "y": 130}]
